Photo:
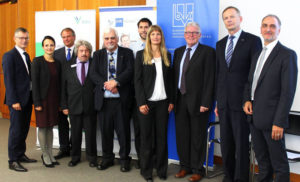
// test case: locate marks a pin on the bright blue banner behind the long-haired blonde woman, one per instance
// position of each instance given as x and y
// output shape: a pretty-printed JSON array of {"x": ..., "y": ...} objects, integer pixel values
[{"x": 172, "y": 16}]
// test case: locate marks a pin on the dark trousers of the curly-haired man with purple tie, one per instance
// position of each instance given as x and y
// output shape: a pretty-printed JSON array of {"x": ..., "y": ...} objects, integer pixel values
[{"x": 88, "y": 122}]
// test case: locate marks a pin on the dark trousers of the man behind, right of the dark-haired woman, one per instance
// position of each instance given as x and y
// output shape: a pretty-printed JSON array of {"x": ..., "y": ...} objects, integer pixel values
[{"x": 63, "y": 133}]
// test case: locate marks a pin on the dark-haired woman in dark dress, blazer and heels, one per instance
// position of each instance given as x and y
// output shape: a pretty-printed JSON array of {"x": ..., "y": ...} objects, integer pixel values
[{"x": 45, "y": 76}]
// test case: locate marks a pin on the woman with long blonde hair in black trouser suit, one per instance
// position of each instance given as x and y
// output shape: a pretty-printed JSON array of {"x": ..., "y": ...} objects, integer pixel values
[{"x": 153, "y": 84}]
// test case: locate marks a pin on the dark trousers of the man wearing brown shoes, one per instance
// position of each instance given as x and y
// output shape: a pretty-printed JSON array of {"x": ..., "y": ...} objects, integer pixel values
[{"x": 191, "y": 134}]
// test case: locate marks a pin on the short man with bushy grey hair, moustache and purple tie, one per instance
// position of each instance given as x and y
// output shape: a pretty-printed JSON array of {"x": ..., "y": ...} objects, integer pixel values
[{"x": 77, "y": 101}]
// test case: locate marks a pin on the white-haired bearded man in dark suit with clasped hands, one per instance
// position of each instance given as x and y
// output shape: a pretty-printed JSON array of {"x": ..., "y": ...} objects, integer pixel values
[{"x": 112, "y": 72}]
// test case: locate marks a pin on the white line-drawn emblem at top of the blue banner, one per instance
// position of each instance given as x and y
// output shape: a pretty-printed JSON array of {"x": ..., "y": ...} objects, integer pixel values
[{"x": 183, "y": 13}]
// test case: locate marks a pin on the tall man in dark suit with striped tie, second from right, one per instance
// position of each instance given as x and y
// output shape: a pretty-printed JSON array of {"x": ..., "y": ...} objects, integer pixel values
[{"x": 234, "y": 53}]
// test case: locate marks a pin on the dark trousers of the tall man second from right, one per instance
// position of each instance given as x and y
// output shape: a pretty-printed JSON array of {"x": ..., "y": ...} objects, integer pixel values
[{"x": 234, "y": 131}]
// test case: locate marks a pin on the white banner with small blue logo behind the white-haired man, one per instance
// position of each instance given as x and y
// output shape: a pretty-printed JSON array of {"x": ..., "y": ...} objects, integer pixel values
[{"x": 124, "y": 19}]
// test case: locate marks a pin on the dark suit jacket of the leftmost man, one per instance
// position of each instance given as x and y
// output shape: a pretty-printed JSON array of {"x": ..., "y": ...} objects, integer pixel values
[{"x": 16, "y": 78}]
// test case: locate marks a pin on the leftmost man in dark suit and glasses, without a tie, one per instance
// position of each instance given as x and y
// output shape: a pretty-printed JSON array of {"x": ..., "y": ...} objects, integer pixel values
[{"x": 16, "y": 68}]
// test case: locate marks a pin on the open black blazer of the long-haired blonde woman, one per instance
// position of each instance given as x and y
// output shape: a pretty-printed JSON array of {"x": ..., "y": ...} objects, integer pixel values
[{"x": 144, "y": 79}]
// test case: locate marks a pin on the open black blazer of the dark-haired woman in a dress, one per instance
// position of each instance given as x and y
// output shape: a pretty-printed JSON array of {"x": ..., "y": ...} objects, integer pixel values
[{"x": 40, "y": 75}]
